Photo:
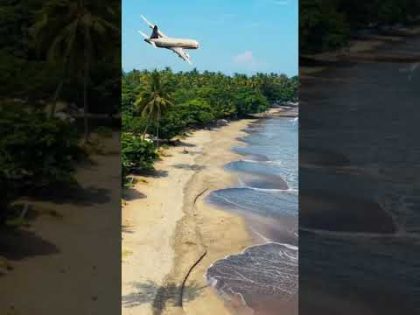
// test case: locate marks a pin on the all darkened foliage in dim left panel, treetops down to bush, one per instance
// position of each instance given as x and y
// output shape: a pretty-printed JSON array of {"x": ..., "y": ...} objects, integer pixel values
[{"x": 53, "y": 50}]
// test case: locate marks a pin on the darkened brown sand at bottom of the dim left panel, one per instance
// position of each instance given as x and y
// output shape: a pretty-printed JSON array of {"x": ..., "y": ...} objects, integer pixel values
[{"x": 67, "y": 260}]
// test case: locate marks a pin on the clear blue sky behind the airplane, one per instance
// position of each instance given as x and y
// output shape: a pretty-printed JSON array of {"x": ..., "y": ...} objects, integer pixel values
[{"x": 243, "y": 36}]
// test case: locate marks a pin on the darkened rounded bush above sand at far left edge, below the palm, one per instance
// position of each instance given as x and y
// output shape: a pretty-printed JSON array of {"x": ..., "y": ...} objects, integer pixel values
[{"x": 53, "y": 147}]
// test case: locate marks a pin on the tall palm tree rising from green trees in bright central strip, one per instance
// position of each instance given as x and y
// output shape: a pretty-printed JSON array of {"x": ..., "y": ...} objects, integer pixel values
[{"x": 154, "y": 102}]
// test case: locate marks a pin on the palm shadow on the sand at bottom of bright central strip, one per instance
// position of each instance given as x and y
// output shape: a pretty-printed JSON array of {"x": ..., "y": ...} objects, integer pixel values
[{"x": 159, "y": 296}]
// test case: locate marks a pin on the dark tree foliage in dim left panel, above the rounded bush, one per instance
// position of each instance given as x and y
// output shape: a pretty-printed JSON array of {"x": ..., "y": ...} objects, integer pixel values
[{"x": 40, "y": 46}]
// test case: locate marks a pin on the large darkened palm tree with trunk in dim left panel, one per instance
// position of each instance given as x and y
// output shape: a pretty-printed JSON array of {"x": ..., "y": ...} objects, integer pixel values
[{"x": 70, "y": 33}]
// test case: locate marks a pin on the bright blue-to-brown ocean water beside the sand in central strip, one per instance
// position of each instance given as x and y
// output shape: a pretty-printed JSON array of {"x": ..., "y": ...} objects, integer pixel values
[{"x": 264, "y": 277}]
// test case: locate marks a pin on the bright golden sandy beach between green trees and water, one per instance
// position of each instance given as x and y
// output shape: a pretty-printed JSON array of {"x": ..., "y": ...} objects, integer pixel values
[{"x": 171, "y": 235}]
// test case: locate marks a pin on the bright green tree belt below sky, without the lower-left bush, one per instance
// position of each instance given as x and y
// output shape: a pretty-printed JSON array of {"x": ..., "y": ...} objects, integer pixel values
[{"x": 198, "y": 99}]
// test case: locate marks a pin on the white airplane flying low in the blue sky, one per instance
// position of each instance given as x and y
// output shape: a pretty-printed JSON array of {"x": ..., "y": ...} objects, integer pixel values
[{"x": 178, "y": 45}]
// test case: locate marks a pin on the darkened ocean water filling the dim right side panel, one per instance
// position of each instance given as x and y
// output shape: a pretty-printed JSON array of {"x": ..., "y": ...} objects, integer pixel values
[{"x": 360, "y": 189}]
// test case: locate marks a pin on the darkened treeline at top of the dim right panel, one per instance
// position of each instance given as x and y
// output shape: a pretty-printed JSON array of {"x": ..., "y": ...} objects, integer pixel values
[{"x": 329, "y": 24}]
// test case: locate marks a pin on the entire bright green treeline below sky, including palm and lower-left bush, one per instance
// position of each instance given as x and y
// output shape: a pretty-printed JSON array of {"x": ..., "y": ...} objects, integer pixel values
[{"x": 160, "y": 105}]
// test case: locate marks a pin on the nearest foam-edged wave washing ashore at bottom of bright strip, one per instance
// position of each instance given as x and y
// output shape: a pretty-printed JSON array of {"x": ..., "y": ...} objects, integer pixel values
[{"x": 269, "y": 270}]
